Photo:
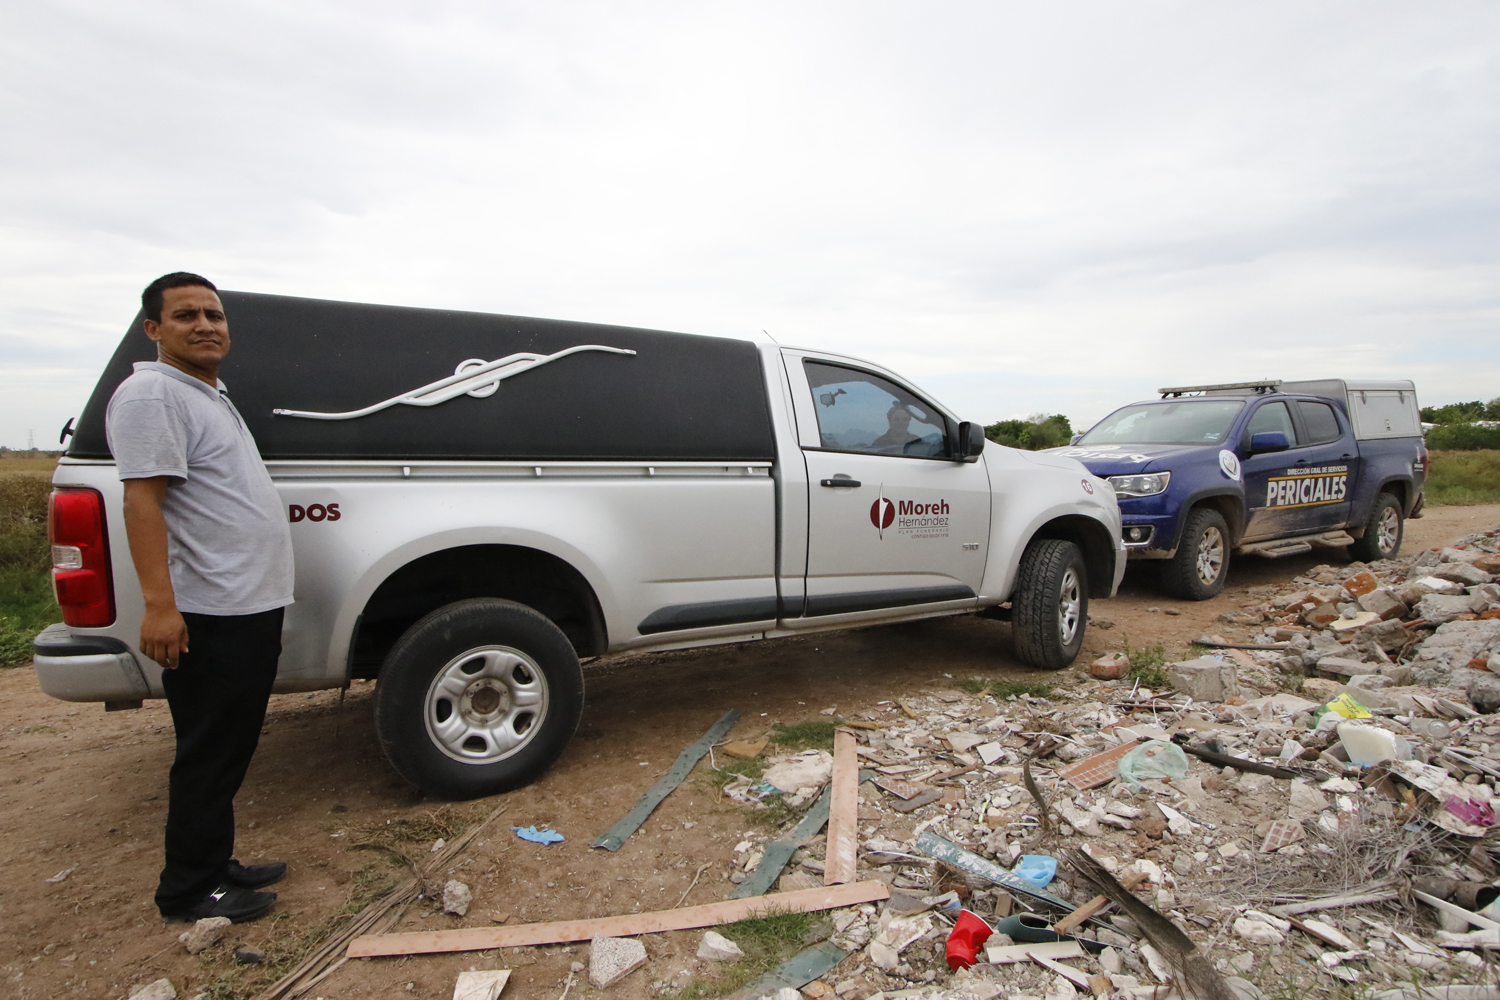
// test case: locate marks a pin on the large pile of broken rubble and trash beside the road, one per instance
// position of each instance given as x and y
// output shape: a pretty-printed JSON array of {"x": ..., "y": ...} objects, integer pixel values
[{"x": 1319, "y": 810}]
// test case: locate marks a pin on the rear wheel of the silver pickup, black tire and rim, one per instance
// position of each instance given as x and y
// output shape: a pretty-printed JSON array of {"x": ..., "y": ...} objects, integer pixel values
[{"x": 478, "y": 698}]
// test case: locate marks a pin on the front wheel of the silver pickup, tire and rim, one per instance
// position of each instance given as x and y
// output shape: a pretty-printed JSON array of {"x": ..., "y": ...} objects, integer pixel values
[{"x": 1051, "y": 605}]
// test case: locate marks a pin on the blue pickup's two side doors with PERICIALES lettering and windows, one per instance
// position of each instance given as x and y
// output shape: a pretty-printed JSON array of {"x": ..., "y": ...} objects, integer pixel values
[{"x": 1304, "y": 488}]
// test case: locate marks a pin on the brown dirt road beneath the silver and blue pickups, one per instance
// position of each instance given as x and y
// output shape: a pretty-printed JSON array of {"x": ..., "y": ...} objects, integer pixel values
[{"x": 83, "y": 800}]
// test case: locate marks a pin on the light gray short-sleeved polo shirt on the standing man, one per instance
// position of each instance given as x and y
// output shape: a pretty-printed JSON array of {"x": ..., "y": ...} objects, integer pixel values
[{"x": 229, "y": 539}]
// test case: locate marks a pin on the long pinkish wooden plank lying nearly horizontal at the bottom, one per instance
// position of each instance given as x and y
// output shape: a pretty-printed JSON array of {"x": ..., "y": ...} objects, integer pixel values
[{"x": 476, "y": 939}]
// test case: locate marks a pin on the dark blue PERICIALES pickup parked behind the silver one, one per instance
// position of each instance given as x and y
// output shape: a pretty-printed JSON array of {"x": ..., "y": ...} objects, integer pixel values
[{"x": 1270, "y": 469}]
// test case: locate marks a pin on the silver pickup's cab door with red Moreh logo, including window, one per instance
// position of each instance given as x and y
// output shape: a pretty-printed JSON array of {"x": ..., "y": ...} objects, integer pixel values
[{"x": 893, "y": 519}]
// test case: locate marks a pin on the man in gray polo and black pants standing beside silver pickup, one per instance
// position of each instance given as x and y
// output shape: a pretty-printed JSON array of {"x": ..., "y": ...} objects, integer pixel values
[{"x": 212, "y": 549}]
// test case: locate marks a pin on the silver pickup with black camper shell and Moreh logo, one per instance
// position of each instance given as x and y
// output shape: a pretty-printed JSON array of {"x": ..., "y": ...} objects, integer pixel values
[{"x": 481, "y": 501}]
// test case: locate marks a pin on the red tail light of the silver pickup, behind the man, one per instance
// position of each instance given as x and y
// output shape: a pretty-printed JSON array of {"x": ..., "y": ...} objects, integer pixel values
[{"x": 82, "y": 558}]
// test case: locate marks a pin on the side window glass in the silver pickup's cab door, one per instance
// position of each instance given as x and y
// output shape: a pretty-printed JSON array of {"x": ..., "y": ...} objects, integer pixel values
[{"x": 859, "y": 412}]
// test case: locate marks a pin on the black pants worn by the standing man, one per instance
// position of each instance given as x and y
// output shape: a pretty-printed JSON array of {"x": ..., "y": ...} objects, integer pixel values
[{"x": 218, "y": 696}]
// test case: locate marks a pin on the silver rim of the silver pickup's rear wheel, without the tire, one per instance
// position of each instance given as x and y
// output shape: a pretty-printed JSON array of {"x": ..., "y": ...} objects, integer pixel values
[{"x": 487, "y": 704}]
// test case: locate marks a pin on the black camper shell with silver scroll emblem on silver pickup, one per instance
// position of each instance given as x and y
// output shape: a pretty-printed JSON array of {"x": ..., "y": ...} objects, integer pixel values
[{"x": 677, "y": 398}]
